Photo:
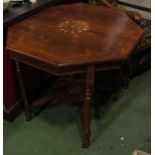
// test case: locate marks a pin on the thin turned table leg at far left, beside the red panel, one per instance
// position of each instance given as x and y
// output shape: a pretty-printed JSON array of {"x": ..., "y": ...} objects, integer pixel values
[{"x": 23, "y": 92}]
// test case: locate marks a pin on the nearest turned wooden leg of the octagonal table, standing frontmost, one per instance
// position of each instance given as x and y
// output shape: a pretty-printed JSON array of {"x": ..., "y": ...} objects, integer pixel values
[{"x": 86, "y": 107}]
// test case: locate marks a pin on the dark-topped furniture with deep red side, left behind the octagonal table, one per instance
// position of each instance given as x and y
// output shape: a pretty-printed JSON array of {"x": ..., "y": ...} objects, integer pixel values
[{"x": 11, "y": 17}]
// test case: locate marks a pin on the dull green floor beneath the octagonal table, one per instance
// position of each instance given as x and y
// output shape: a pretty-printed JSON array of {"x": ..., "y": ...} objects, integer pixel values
[{"x": 123, "y": 127}]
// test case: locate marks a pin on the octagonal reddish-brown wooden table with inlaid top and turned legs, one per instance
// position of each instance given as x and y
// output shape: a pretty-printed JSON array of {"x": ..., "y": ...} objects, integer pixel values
[{"x": 73, "y": 39}]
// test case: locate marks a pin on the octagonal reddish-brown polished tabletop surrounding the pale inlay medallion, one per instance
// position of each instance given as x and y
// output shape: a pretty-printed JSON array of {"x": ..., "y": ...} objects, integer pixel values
[{"x": 39, "y": 38}]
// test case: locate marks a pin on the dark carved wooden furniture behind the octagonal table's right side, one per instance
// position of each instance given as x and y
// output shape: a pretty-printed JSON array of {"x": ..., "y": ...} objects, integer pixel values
[{"x": 140, "y": 60}]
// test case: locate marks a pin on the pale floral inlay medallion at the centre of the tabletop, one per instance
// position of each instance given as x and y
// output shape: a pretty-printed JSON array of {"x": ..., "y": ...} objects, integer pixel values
[{"x": 73, "y": 26}]
